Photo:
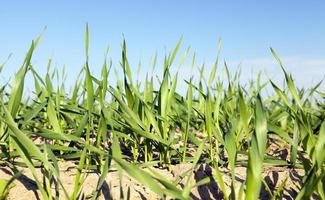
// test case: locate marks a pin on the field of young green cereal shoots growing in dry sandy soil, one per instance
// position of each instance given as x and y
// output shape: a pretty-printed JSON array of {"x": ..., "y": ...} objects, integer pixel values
[{"x": 219, "y": 140}]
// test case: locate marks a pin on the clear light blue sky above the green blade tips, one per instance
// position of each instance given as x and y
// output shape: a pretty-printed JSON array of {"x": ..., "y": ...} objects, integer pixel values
[{"x": 295, "y": 29}]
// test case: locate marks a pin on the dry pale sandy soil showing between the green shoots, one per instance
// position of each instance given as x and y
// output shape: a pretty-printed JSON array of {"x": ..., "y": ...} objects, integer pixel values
[{"x": 25, "y": 187}]
